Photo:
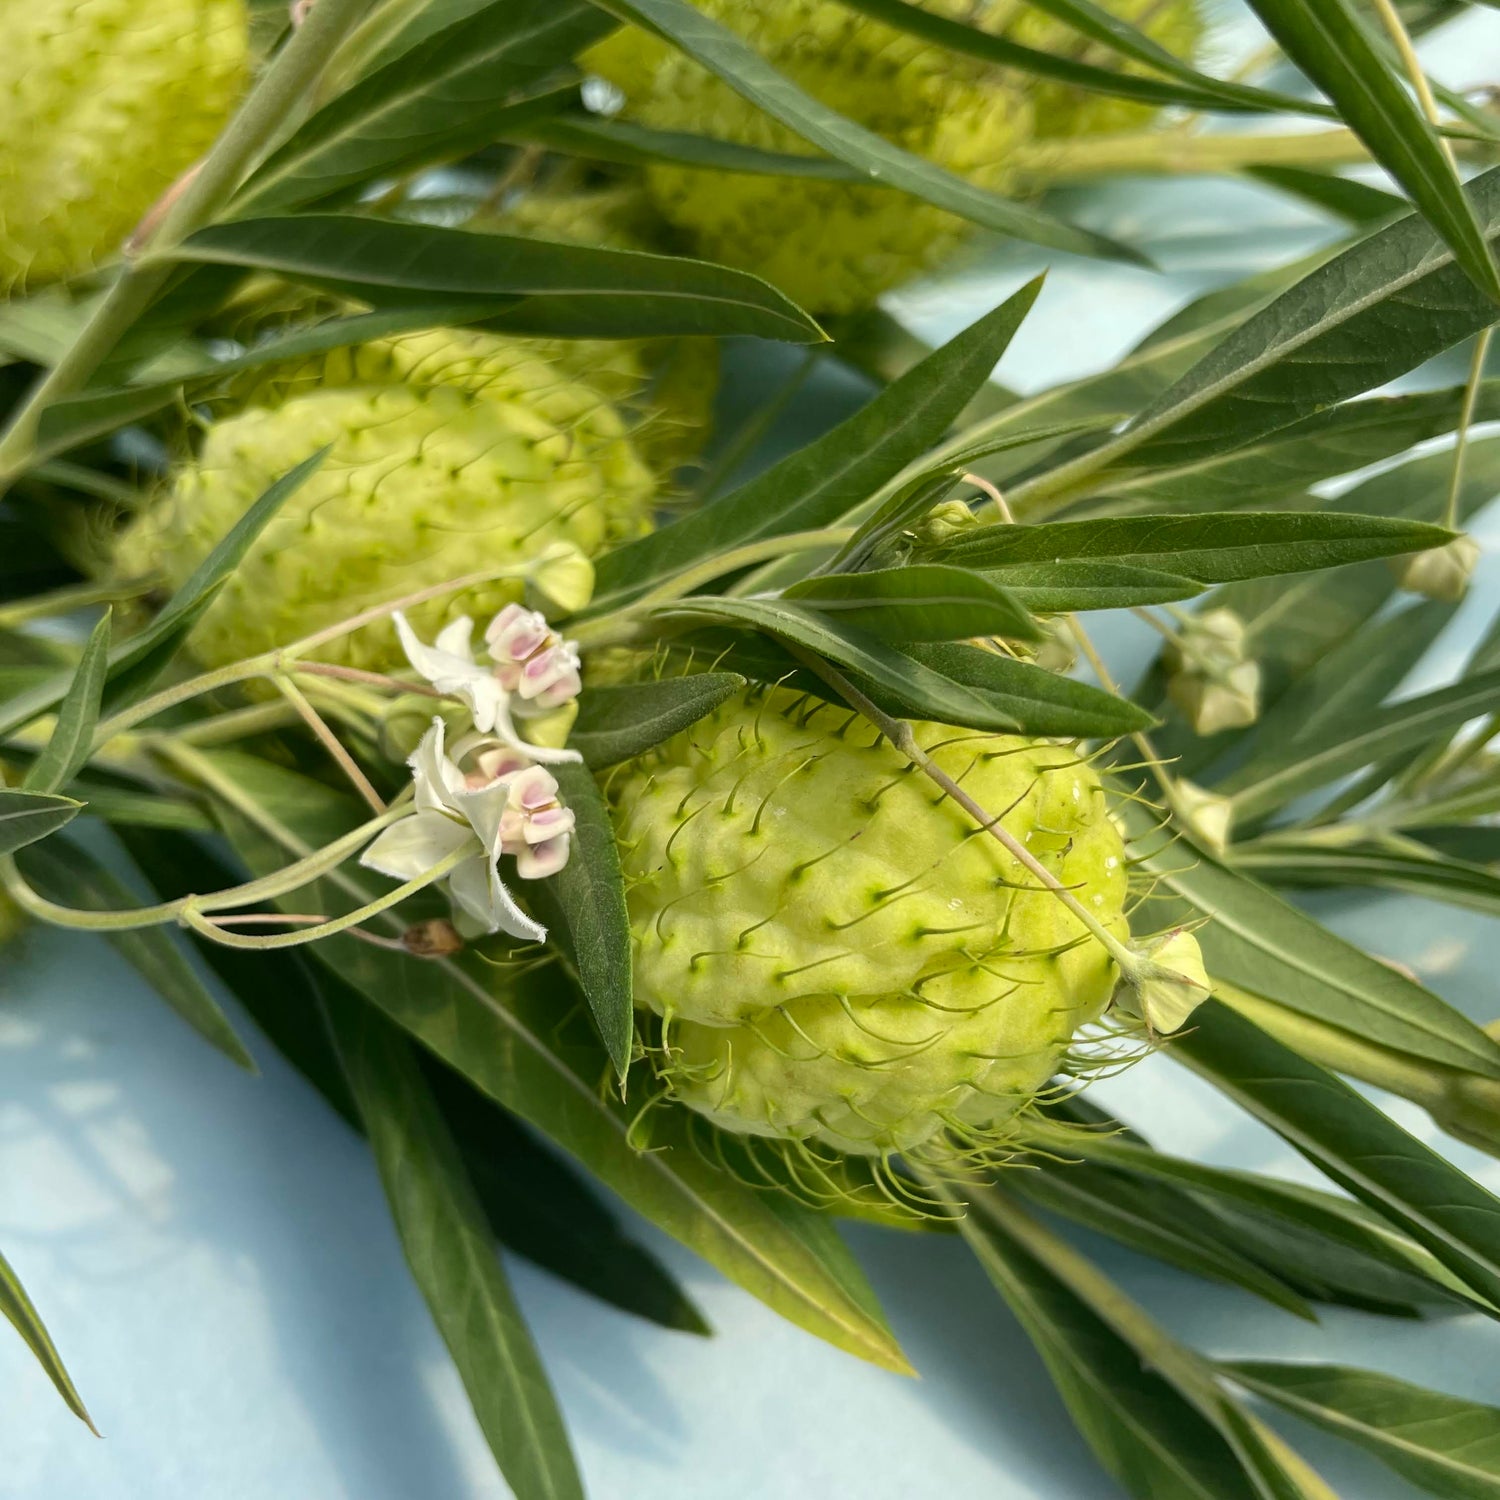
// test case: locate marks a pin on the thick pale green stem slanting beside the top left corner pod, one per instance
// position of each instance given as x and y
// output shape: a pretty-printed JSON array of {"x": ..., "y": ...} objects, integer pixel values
[{"x": 259, "y": 121}]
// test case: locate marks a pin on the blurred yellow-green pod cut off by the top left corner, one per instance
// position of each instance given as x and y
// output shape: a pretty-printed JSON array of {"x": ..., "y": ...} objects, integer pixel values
[{"x": 103, "y": 106}]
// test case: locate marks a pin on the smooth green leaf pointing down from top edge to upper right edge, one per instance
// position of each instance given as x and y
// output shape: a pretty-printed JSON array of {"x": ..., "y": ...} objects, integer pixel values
[{"x": 1328, "y": 41}]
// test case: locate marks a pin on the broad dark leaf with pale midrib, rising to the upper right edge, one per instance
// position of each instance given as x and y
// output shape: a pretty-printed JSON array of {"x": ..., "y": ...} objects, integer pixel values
[{"x": 1355, "y": 323}]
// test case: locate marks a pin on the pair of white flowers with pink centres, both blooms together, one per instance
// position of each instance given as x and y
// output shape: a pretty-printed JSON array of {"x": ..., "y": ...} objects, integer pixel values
[{"x": 491, "y": 790}]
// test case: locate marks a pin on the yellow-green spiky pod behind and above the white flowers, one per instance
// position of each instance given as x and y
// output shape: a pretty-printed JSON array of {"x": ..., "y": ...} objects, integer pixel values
[{"x": 449, "y": 454}]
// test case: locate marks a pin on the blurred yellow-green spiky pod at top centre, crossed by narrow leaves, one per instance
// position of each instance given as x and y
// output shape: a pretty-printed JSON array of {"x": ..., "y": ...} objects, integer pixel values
[{"x": 832, "y": 247}]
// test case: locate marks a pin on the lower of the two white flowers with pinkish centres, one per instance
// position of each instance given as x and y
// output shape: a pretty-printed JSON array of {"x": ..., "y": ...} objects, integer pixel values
[{"x": 455, "y": 811}]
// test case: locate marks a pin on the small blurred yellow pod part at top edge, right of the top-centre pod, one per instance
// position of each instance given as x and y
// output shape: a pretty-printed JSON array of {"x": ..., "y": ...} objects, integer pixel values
[{"x": 1063, "y": 110}]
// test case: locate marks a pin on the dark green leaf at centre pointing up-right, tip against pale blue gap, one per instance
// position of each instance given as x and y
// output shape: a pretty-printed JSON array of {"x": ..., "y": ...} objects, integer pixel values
[{"x": 824, "y": 481}]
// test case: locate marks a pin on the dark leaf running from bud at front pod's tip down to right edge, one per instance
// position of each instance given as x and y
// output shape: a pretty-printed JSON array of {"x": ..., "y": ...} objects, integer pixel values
[{"x": 1352, "y": 1142}]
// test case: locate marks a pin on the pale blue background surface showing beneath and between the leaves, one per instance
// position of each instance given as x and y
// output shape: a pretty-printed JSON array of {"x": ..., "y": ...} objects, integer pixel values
[{"x": 214, "y": 1256}]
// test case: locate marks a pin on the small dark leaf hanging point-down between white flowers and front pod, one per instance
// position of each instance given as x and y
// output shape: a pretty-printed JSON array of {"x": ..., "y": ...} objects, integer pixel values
[{"x": 590, "y": 923}]
